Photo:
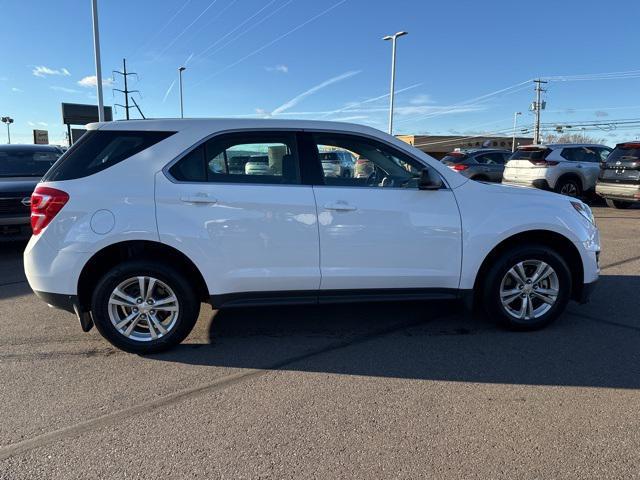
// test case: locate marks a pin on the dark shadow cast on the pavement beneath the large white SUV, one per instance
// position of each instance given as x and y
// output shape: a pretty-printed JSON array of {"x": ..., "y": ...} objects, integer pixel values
[{"x": 591, "y": 345}]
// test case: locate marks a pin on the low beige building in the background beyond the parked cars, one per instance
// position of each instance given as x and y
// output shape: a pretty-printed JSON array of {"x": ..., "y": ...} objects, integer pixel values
[{"x": 439, "y": 145}]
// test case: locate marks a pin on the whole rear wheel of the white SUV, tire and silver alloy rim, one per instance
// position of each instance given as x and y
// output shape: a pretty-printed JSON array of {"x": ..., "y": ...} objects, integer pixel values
[{"x": 143, "y": 307}]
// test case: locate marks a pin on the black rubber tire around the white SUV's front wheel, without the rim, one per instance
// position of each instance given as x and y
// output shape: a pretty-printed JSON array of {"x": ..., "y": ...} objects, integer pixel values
[{"x": 491, "y": 286}]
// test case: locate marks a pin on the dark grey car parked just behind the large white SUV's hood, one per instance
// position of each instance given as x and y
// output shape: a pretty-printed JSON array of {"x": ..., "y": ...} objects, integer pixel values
[{"x": 480, "y": 164}]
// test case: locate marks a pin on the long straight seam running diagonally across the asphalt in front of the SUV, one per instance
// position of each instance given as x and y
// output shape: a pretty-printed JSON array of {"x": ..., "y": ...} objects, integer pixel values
[{"x": 217, "y": 385}]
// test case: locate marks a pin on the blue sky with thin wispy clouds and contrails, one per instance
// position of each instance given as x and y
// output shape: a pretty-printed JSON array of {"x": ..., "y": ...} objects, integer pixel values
[{"x": 325, "y": 59}]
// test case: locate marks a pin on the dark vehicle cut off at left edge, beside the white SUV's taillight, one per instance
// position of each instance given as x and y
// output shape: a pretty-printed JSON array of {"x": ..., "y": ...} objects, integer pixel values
[{"x": 21, "y": 168}]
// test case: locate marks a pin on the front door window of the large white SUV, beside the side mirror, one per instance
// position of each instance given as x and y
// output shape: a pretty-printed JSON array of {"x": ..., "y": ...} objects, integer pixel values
[{"x": 376, "y": 165}]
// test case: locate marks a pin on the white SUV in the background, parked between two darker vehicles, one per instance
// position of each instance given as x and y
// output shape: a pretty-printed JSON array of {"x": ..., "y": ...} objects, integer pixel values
[{"x": 569, "y": 169}]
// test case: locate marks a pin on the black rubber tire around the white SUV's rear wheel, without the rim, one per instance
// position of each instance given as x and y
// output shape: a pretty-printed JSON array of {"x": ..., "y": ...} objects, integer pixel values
[{"x": 189, "y": 306}]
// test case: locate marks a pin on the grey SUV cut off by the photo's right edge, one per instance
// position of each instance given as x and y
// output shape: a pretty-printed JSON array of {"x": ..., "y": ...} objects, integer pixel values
[{"x": 619, "y": 178}]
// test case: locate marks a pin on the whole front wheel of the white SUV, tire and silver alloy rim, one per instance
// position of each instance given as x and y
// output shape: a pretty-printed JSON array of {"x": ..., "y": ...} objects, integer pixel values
[{"x": 527, "y": 287}]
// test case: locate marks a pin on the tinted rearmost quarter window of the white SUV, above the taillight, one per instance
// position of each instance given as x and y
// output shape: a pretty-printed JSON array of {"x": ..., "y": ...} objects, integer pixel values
[{"x": 98, "y": 150}]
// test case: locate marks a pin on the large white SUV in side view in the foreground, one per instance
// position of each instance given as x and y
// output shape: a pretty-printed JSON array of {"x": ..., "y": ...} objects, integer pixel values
[{"x": 141, "y": 221}]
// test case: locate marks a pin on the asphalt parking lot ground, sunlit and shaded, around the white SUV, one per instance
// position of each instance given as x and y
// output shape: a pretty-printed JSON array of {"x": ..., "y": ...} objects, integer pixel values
[{"x": 359, "y": 391}]
